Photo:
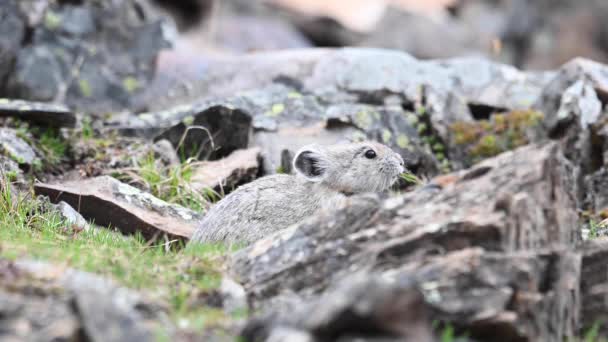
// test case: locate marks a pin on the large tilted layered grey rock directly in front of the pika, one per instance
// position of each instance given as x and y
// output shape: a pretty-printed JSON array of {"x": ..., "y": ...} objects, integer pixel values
[{"x": 460, "y": 214}]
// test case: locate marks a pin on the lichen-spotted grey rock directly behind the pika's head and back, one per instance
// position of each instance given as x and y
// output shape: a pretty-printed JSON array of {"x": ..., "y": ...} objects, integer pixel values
[{"x": 287, "y": 119}]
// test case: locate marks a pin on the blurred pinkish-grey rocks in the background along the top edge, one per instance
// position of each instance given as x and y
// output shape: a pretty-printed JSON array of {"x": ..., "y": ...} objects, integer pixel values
[{"x": 529, "y": 34}]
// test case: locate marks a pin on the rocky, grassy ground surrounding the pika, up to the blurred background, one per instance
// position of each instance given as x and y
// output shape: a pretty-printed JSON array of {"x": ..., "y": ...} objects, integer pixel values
[{"x": 110, "y": 158}]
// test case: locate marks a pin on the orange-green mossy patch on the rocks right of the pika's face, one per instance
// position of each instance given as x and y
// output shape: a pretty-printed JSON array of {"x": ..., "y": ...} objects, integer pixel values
[{"x": 503, "y": 132}]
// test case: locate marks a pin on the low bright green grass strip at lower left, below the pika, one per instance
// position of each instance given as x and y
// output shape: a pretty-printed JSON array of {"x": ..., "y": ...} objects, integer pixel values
[{"x": 180, "y": 278}]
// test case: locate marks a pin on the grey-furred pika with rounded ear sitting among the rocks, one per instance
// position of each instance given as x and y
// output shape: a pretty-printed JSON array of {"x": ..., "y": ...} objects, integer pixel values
[{"x": 325, "y": 177}]
